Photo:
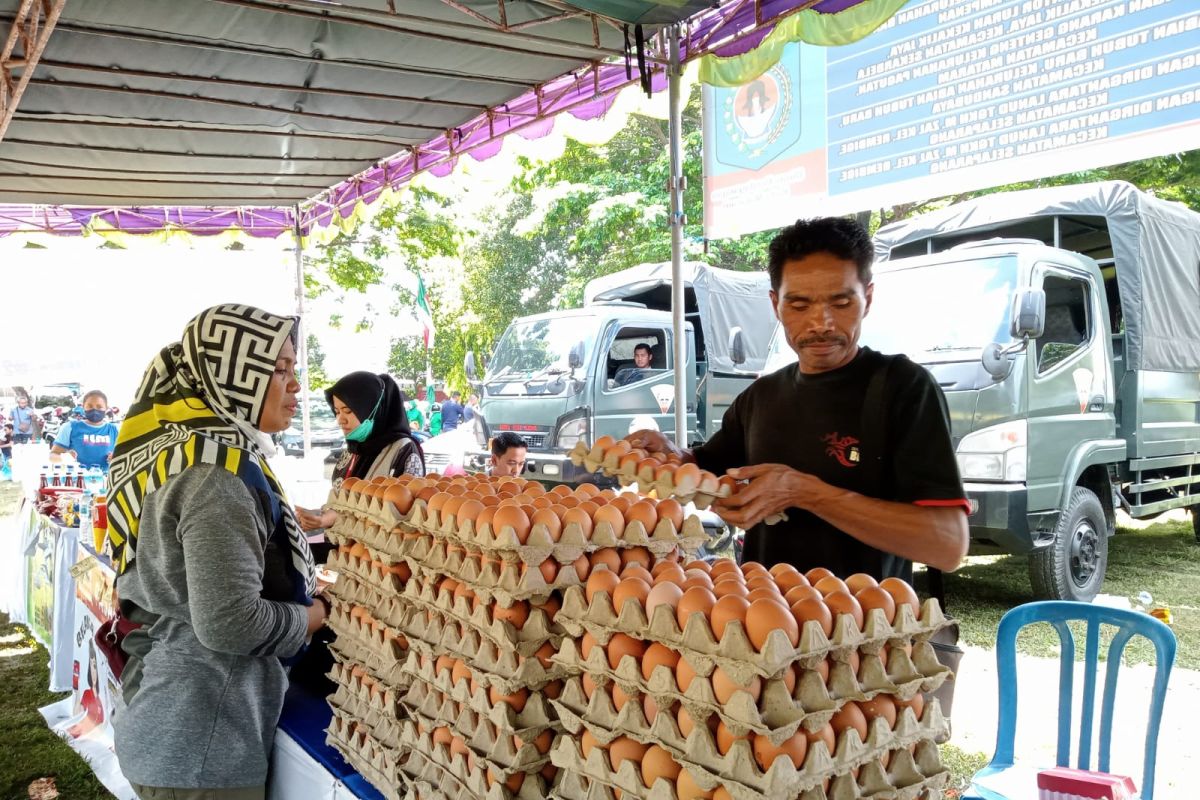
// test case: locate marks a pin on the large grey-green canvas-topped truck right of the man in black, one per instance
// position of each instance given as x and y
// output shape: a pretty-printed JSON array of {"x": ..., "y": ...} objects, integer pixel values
[{"x": 1064, "y": 326}]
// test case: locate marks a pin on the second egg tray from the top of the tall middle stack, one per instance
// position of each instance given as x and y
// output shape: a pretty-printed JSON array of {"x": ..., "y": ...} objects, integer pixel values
[{"x": 505, "y": 582}]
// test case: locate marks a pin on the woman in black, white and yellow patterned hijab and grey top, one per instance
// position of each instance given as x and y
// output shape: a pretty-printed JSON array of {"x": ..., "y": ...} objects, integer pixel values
[{"x": 212, "y": 561}]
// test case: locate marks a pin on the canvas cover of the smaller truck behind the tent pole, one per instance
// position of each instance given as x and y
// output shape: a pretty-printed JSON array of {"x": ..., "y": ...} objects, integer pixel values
[{"x": 724, "y": 299}]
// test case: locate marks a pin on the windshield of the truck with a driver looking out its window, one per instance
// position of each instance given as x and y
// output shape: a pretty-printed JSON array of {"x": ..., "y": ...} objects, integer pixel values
[{"x": 532, "y": 358}]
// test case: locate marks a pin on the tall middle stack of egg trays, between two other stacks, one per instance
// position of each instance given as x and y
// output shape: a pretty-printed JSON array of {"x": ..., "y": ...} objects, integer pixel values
[{"x": 488, "y": 562}]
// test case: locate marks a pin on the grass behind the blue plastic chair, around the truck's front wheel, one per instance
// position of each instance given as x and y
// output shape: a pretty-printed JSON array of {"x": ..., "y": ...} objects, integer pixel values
[{"x": 1162, "y": 560}]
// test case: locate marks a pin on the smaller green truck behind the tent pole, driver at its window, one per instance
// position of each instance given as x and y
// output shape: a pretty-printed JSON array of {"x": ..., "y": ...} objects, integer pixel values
[{"x": 565, "y": 376}]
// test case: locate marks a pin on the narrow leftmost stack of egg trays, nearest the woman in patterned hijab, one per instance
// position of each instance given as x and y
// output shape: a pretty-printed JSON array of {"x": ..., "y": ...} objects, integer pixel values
[{"x": 369, "y": 613}]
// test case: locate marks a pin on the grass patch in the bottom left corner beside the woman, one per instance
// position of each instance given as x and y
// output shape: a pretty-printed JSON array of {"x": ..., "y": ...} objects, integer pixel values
[{"x": 31, "y": 749}]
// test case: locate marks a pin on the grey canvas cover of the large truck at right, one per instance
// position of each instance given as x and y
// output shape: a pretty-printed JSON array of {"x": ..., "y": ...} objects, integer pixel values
[{"x": 1155, "y": 245}]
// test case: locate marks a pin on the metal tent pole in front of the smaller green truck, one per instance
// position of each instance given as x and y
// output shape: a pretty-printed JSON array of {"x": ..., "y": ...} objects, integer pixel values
[{"x": 677, "y": 185}]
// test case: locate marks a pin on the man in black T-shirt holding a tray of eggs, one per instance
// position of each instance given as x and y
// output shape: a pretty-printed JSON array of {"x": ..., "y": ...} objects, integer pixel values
[{"x": 801, "y": 436}]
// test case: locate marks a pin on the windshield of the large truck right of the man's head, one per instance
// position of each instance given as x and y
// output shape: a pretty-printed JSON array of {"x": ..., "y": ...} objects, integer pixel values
[{"x": 943, "y": 312}]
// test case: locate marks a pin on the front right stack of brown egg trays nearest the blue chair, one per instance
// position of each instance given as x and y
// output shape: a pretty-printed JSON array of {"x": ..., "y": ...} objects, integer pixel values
[{"x": 725, "y": 683}]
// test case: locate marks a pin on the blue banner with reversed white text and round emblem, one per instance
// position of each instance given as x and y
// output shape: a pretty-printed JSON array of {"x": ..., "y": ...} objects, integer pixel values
[{"x": 952, "y": 97}]
